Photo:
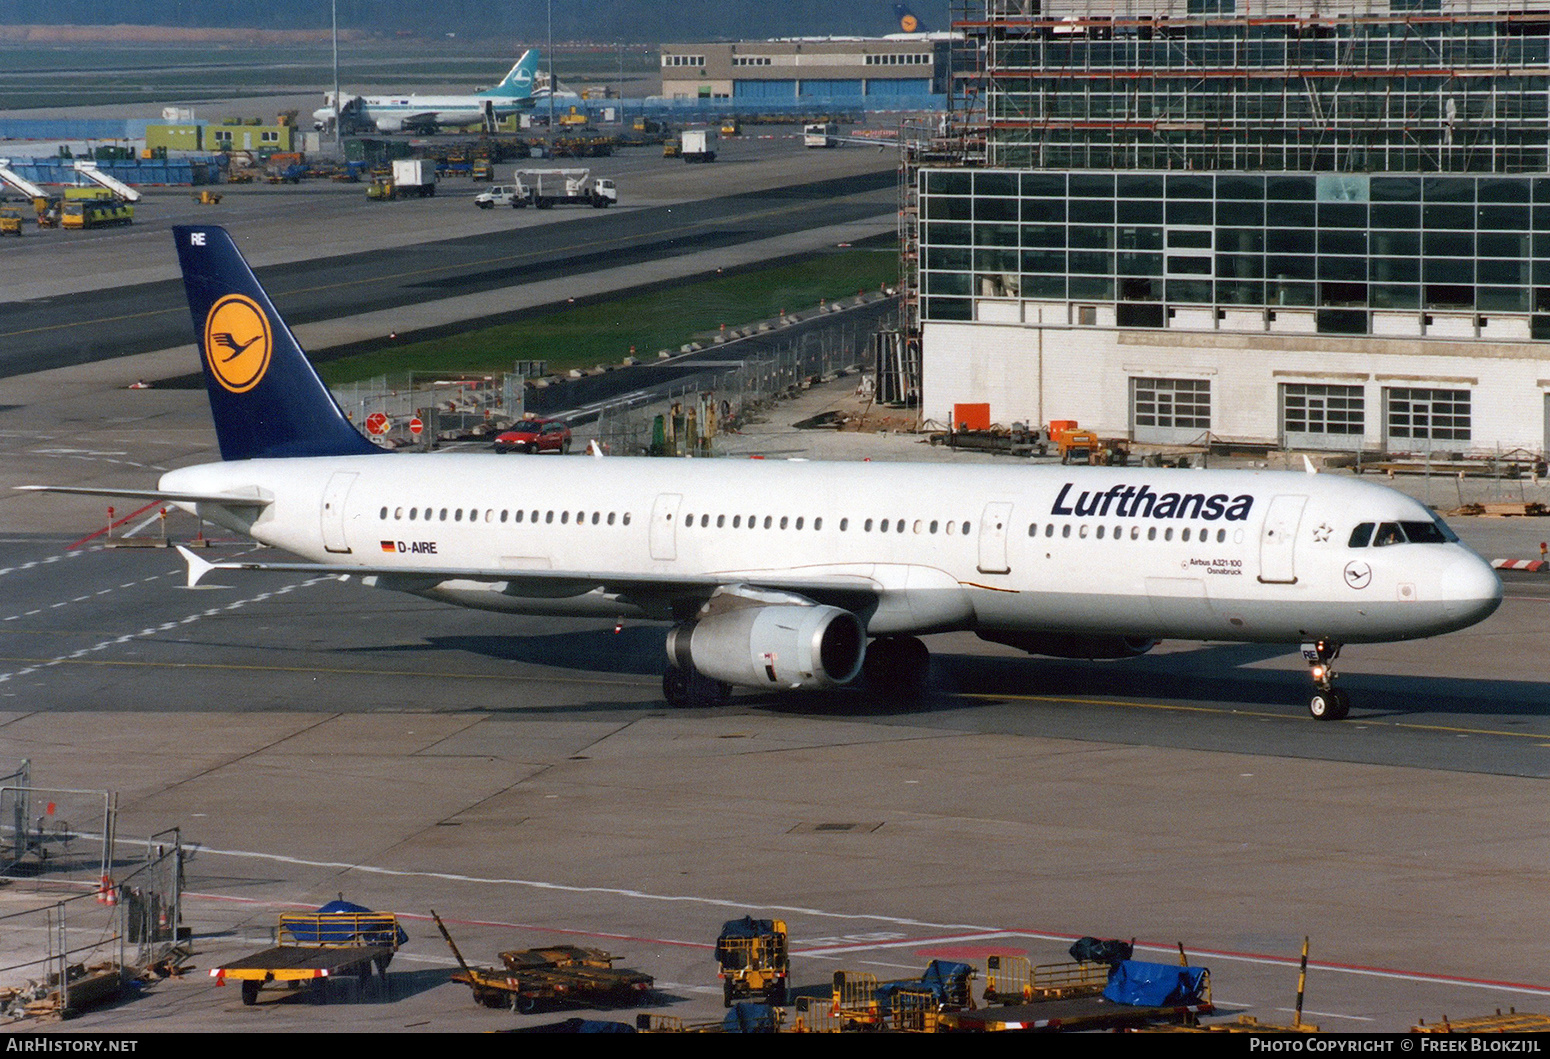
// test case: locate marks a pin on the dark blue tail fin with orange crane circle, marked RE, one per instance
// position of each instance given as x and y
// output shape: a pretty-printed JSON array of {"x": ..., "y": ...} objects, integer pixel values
[{"x": 264, "y": 395}]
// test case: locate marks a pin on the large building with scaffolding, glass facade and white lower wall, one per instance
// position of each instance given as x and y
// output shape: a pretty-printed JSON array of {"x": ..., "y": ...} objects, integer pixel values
[{"x": 1318, "y": 224}]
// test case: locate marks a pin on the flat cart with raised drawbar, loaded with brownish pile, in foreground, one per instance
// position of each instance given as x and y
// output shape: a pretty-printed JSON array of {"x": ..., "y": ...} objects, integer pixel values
[{"x": 551, "y": 978}]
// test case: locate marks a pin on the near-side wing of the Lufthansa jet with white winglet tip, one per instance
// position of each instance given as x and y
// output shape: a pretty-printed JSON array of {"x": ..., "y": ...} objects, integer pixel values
[{"x": 844, "y": 592}]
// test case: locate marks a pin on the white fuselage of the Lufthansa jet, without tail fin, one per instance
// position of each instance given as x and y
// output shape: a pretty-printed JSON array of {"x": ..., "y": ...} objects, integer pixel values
[{"x": 1210, "y": 556}]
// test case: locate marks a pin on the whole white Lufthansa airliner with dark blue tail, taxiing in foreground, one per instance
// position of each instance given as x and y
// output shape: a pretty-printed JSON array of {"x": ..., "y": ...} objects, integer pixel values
[{"x": 807, "y": 574}]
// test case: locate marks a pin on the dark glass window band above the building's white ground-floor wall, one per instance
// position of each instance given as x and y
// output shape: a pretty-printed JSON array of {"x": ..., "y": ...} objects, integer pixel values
[{"x": 1342, "y": 246}]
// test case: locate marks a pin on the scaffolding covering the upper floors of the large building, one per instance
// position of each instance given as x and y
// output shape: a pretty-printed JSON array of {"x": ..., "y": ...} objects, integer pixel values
[{"x": 1280, "y": 86}]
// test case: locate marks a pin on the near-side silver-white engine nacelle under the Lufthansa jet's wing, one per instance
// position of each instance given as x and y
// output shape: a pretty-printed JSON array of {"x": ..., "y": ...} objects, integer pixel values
[{"x": 790, "y": 647}]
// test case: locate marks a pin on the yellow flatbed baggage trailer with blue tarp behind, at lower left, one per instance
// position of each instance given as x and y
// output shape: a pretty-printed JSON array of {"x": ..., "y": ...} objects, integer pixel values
[{"x": 337, "y": 940}]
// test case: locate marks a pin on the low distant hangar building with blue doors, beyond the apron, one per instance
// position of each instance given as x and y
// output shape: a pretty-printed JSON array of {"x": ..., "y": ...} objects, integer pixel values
[{"x": 881, "y": 74}]
